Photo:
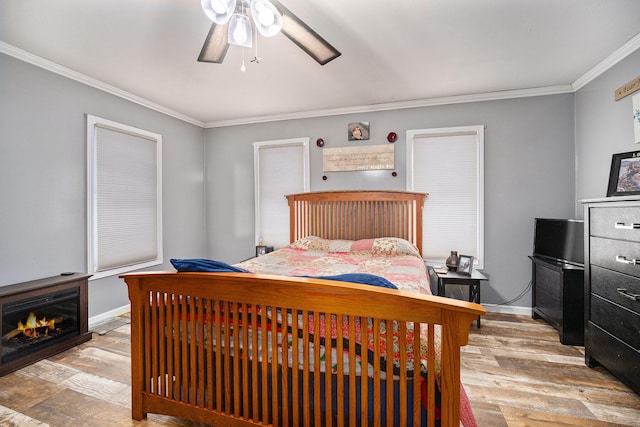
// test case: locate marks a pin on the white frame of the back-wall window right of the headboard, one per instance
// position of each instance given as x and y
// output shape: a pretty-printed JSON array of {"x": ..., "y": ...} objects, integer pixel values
[{"x": 478, "y": 132}]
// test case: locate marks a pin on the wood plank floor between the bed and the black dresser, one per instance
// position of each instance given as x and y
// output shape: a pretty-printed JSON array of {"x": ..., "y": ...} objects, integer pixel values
[{"x": 517, "y": 373}]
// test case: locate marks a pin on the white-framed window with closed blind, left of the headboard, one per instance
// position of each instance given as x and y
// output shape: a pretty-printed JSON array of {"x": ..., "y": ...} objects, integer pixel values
[{"x": 281, "y": 168}]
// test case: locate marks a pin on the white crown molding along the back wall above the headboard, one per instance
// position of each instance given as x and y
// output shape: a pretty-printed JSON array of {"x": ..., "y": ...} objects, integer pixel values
[{"x": 460, "y": 99}]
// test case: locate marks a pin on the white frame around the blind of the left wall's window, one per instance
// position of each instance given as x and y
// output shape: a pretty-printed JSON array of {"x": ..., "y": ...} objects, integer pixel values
[{"x": 93, "y": 124}]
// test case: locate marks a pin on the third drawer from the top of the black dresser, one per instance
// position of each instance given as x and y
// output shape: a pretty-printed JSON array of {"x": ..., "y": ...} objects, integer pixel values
[{"x": 616, "y": 287}]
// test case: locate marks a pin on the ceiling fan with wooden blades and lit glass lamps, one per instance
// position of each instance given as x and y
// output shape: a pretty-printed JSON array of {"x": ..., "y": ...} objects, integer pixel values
[{"x": 231, "y": 25}]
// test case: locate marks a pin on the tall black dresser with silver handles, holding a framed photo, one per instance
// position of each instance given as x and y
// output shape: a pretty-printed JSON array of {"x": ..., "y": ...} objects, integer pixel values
[{"x": 612, "y": 286}]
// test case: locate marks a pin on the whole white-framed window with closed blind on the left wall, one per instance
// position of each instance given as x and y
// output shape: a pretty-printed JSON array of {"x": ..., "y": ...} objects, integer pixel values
[{"x": 124, "y": 198}]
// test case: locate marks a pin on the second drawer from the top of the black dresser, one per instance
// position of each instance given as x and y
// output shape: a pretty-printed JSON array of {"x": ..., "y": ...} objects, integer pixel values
[{"x": 615, "y": 255}]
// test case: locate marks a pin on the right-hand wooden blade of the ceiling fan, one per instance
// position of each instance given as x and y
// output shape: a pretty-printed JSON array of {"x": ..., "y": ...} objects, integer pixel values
[{"x": 307, "y": 39}]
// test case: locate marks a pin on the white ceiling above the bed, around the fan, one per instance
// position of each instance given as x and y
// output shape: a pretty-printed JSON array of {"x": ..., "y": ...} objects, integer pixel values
[{"x": 393, "y": 51}]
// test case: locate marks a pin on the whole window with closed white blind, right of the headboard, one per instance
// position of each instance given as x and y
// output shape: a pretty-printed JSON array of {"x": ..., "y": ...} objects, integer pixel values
[{"x": 448, "y": 163}]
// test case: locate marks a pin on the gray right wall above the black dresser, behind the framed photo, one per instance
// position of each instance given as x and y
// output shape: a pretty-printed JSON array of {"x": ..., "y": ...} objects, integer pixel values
[{"x": 604, "y": 127}]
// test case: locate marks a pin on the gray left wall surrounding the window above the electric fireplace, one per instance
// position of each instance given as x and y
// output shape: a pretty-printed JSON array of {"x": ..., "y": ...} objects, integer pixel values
[{"x": 43, "y": 177}]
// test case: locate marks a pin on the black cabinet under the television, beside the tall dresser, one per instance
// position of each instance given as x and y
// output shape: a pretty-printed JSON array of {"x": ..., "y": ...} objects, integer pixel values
[{"x": 558, "y": 297}]
